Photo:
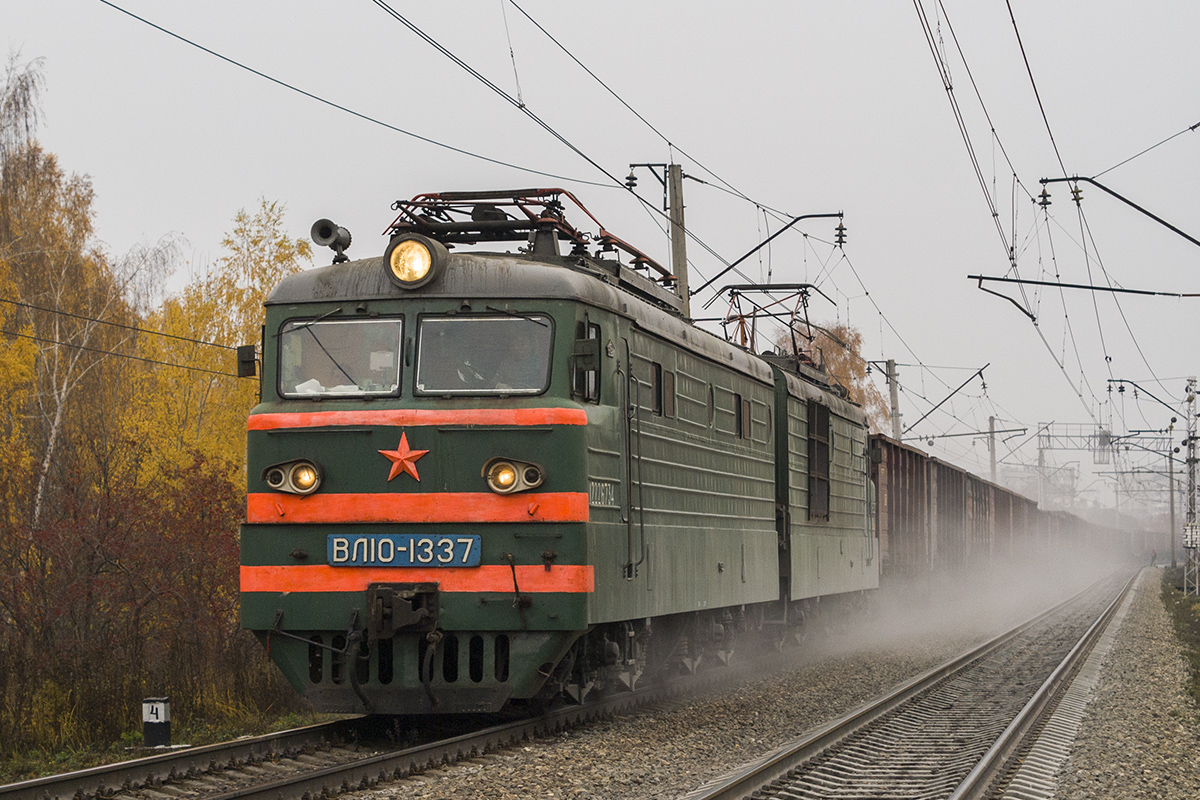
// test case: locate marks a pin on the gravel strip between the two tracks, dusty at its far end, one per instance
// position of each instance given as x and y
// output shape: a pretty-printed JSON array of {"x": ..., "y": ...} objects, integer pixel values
[{"x": 665, "y": 753}]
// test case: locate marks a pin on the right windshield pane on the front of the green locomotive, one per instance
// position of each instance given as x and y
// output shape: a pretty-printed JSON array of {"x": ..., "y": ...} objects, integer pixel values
[{"x": 484, "y": 356}]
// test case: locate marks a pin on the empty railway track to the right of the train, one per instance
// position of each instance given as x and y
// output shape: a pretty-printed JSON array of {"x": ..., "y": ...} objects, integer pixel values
[{"x": 956, "y": 732}]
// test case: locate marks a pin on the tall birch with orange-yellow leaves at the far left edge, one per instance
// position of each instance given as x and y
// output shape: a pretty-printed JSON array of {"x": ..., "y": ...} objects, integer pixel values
[{"x": 65, "y": 297}]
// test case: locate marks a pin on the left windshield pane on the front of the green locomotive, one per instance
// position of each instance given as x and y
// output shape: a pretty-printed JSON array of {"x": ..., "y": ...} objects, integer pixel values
[{"x": 344, "y": 358}]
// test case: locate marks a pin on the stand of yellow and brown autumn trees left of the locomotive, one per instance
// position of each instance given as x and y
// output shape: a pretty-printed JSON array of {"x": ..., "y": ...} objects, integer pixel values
[{"x": 123, "y": 458}]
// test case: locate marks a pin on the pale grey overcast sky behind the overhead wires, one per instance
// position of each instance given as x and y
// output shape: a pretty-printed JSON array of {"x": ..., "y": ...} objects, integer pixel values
[{"x": 803, "y": 107}]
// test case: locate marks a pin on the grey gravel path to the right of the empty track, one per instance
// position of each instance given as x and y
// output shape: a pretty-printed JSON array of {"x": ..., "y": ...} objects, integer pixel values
[{"x": 1141, "y": 736}]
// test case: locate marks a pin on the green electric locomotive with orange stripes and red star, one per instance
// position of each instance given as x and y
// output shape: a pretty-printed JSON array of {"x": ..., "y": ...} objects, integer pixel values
[{"x": 488, "y": 479}]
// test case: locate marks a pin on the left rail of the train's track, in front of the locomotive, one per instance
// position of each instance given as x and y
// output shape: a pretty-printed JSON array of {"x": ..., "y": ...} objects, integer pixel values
[{"x": 191, "y": 761}]
